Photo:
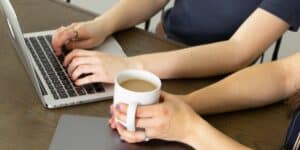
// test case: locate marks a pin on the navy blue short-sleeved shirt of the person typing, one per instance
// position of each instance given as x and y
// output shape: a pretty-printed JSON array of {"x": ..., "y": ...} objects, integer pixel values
[{"x": 196, "y": 22}]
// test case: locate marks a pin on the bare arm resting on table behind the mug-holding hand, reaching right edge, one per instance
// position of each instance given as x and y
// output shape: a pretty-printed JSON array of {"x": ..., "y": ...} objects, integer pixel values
[{"x": 252, "y": 87}]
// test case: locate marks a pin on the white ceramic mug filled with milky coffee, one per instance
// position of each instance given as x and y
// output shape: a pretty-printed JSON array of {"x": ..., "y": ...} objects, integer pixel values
[{"x": 134, "y": 98}]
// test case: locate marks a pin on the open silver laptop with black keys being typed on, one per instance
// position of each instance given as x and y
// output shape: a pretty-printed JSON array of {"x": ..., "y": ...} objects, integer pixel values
[{"x": 45, "y": 69}]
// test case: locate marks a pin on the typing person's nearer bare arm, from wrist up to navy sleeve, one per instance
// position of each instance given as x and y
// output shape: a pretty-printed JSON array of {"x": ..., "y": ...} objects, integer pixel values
[{"x": 252, "y": 38}]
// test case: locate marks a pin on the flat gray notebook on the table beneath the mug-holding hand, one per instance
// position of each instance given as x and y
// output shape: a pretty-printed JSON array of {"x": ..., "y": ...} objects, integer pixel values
[{"x": 93, "y": 133}]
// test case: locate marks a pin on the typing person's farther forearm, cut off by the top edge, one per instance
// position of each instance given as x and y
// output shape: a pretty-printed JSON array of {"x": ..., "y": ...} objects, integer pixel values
[{"x": 127, "y": 13}]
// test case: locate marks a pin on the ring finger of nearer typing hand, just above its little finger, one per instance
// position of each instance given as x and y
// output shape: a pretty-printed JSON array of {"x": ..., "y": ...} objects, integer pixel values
[{"x": 82, "y": 69}]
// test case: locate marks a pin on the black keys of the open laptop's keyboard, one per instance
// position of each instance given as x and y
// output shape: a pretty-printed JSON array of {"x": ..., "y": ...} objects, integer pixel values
[{"x": 53, "y": 71}]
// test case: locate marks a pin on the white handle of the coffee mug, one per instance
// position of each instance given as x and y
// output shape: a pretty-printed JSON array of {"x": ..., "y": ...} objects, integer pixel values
[{"x": 130, "y": 120}]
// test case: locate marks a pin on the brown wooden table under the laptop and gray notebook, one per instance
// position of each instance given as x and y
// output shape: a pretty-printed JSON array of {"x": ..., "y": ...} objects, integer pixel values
[{"x": 26, "y": 124}]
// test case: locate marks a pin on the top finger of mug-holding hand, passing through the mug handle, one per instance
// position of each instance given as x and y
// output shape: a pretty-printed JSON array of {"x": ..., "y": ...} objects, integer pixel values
[{"x": 142, "y": 111}]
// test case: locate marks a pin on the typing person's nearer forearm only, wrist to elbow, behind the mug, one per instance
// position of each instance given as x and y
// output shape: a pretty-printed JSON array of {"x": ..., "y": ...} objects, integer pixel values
[{"x": 199, "y": 61}]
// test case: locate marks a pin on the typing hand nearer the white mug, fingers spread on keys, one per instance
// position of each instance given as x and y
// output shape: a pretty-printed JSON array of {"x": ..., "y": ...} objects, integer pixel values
[{"x": 96, "y": 66}]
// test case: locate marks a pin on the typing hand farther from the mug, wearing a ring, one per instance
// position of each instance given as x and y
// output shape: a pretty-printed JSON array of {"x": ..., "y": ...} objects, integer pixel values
[{"x": 83, "y": 35}]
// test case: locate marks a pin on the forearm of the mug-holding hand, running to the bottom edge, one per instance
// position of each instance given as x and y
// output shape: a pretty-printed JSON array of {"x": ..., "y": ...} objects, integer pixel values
[{"x": 205, "y": 136}]
